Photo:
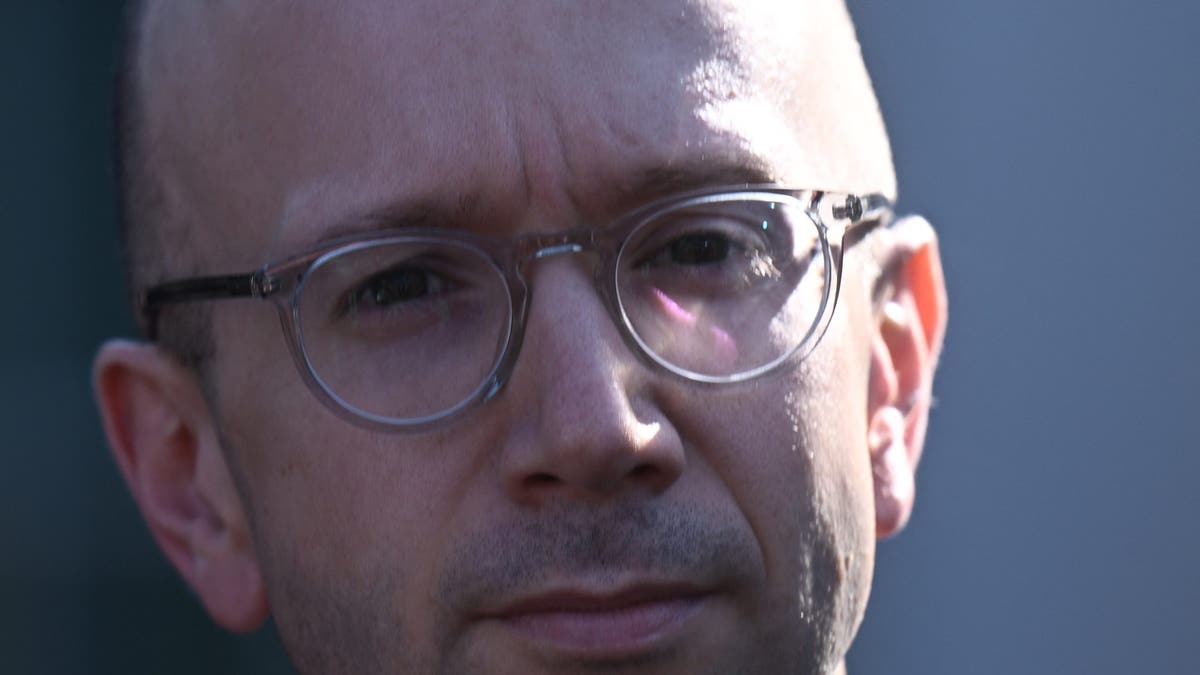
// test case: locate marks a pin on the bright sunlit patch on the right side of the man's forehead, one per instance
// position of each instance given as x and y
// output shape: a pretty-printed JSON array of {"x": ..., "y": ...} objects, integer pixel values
[{"x": 797, "y": 89}]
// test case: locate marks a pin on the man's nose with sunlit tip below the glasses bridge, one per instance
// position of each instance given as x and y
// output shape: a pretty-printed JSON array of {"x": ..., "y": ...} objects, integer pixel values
[{"x": 586, "y": 423}]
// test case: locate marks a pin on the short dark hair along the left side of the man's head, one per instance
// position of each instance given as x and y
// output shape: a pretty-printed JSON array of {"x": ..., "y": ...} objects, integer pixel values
[{"x": 148, "y": 228}]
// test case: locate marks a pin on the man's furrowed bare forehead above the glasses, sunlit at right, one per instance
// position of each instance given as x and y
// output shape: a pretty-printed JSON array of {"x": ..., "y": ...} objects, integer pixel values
[{"x": 280, "y": 120}]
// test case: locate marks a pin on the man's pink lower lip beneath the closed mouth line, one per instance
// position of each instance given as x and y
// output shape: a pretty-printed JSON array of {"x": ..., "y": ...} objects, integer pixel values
[{"x": 613, "y": 634}]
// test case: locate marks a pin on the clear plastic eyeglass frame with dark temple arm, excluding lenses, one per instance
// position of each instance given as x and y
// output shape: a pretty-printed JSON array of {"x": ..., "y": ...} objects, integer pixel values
[{"x": 839, "y": 219}]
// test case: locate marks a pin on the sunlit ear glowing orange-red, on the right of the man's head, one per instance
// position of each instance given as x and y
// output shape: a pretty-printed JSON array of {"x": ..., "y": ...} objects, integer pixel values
[{"x": 910, "y": 320}]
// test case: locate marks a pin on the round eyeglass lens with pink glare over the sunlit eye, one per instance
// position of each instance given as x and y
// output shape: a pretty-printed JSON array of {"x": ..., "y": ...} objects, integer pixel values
[{"x": 722, "y": 289}]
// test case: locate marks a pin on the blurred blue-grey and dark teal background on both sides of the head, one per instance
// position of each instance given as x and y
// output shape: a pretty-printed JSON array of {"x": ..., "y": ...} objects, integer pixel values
[{"x": 1057, "y": 147}]
